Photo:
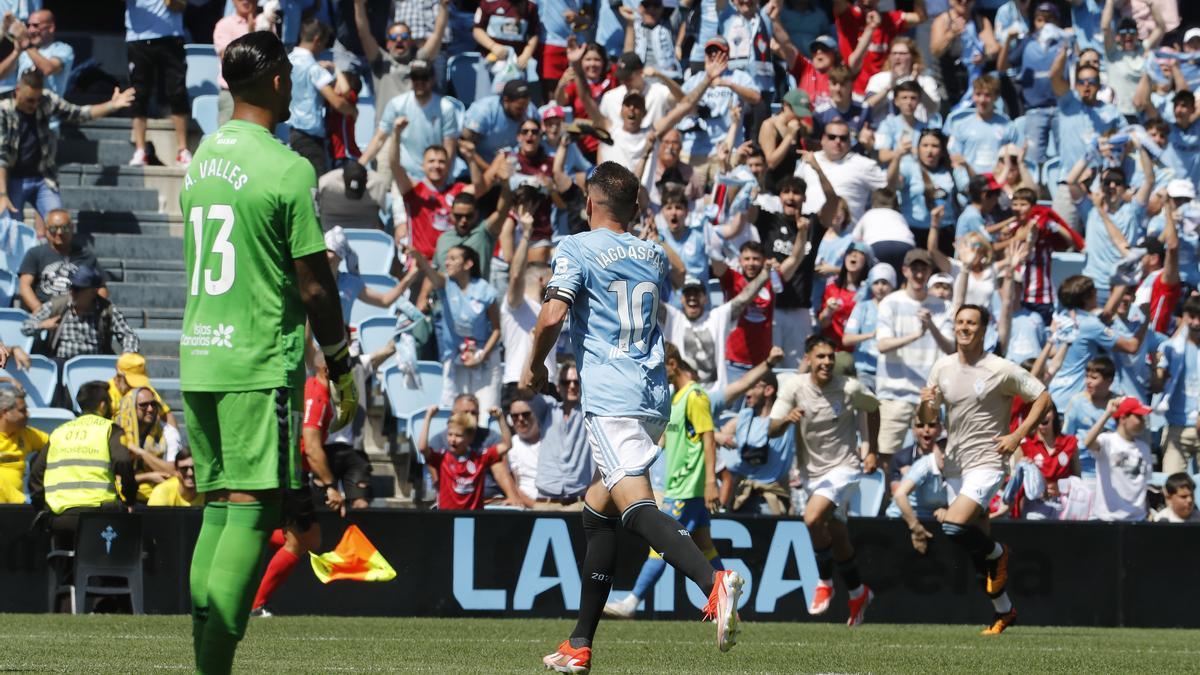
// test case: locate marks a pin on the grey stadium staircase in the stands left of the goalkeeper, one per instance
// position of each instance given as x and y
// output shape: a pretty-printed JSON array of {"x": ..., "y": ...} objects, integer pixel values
[{"x": 131, "y": 217}]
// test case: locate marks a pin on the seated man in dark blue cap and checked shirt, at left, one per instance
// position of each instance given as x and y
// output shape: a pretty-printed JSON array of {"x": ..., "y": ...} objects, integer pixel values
[{"x": 82, "y": 322}]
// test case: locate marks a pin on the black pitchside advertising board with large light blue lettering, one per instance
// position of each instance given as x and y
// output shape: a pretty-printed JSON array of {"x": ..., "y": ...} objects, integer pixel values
[{"x": 509, "y": 564}]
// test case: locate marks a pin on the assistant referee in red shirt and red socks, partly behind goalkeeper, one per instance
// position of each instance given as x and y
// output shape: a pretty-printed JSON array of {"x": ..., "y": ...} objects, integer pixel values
[{"x": 303, "y": 534}]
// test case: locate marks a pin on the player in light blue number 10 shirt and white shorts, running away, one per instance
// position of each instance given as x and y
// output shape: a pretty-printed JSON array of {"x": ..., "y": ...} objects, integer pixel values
[{"x": 611, "y": 282}]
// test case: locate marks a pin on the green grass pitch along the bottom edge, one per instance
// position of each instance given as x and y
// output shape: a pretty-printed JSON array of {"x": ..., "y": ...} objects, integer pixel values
[{"x": 313, "y": 644}]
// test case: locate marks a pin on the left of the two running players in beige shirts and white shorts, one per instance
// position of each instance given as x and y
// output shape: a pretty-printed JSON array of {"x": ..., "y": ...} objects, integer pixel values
[{"x": 819, "y": 403}]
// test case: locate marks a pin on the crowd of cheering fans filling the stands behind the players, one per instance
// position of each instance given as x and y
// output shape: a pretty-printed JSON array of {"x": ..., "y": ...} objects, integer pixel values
[{"x": 838, "y": 168}]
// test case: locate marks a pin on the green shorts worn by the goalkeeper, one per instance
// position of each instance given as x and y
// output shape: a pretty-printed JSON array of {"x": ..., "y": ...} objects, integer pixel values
[{"x": 245, "y": 440}]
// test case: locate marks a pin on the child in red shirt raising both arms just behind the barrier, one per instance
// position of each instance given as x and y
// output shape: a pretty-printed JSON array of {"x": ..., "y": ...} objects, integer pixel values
[{"x": 461, "y": 473}]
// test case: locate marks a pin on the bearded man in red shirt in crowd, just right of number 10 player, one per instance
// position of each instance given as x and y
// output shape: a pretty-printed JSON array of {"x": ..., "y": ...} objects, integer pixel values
[{"x": 751, "y": 341}]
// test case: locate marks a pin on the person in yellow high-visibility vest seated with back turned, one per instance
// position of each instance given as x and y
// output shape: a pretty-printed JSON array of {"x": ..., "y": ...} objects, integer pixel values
[{"x": 81, "y": 465}]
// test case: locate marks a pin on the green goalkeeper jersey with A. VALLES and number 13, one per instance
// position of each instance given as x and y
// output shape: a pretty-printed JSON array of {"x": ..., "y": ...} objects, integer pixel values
[{"x": 250, "y": 210}]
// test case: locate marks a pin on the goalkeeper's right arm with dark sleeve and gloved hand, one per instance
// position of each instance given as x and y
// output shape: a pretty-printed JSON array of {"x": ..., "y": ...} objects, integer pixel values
[{"x": 319, "y": 292}]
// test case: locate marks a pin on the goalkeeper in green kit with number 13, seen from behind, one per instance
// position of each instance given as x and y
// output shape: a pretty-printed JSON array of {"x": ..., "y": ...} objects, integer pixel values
[{"x": 256, "y": 267}]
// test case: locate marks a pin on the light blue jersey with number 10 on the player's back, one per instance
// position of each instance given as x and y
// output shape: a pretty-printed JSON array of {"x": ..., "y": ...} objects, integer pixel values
[{"x": 614, "y": 284}]
